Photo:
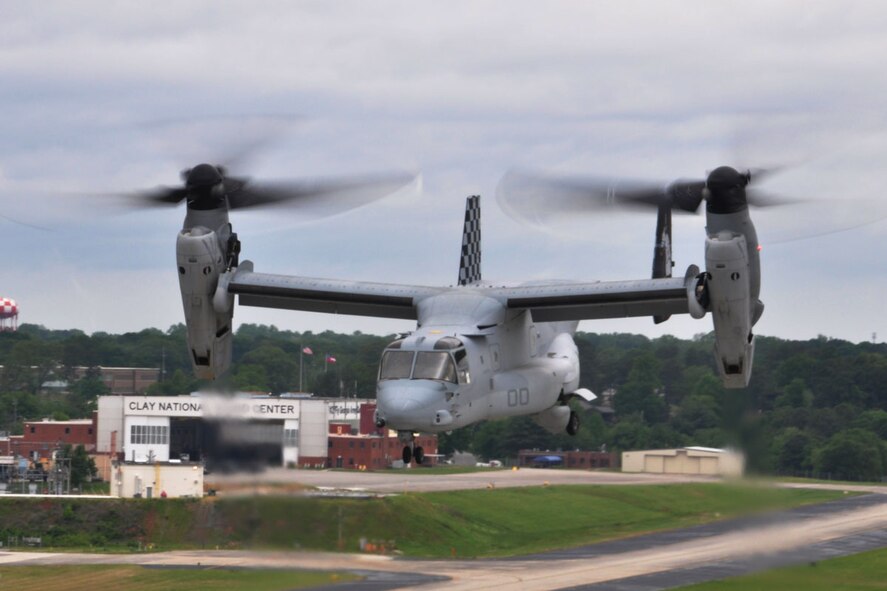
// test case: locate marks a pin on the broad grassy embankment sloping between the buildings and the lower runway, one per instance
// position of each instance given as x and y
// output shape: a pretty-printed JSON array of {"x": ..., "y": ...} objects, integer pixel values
[{"x": 458, "y": 523}]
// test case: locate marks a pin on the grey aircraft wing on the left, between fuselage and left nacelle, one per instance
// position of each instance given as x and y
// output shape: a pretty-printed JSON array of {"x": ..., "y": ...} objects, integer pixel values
[{"x": 333, "y": 296}]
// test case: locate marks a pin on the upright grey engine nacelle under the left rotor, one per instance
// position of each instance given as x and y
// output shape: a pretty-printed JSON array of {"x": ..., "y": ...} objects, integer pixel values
[{"x": 201, "y": 261}]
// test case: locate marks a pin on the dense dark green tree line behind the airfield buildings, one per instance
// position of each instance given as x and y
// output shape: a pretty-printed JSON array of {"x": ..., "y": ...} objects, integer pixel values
[{"x": 815, "y": 407}]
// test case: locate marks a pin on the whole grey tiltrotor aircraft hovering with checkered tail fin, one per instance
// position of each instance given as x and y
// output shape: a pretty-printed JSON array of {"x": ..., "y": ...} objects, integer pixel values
[{"x": 478, "y": 351}]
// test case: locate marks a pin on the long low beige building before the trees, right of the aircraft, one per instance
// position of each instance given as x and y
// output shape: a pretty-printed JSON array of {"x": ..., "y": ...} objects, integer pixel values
[{"x": 707, "y": 461}]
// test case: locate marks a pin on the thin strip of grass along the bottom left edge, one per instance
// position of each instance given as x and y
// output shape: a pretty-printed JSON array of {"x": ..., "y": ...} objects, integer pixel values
[{"x": 139, "y": 578}]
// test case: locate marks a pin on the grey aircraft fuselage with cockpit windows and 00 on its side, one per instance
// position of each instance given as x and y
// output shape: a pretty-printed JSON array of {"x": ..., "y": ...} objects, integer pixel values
[{"x": 447, "y": 374}]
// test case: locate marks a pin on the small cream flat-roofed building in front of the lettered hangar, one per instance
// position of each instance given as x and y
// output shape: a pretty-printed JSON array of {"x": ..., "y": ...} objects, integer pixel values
[{"x": 176, "y": 480}]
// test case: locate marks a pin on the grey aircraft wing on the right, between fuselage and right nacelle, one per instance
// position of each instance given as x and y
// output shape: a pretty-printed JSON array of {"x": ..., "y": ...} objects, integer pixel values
[{"x": 604, "y": 299}]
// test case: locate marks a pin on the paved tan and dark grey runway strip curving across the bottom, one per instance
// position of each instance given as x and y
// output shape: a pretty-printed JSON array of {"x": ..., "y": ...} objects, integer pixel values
[{"x": 655, "y": 561}]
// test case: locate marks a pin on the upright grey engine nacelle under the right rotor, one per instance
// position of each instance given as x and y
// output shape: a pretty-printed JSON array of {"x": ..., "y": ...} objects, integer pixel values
[{"x": 728, "y": 292}]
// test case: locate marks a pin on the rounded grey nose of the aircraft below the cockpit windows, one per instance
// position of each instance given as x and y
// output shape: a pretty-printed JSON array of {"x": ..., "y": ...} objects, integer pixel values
[{"x": 409, "y": 404}]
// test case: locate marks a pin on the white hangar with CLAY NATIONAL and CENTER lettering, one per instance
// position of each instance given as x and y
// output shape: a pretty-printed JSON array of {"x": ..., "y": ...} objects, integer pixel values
[{"x": 215, "y": 429}]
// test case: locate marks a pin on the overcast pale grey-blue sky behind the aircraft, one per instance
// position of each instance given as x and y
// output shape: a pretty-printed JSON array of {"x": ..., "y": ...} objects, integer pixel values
[{"x": 102, "y": 97}]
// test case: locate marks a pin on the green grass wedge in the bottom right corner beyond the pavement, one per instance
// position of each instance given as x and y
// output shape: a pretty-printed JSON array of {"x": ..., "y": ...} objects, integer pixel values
[{"x": 859, "y": 572}]
